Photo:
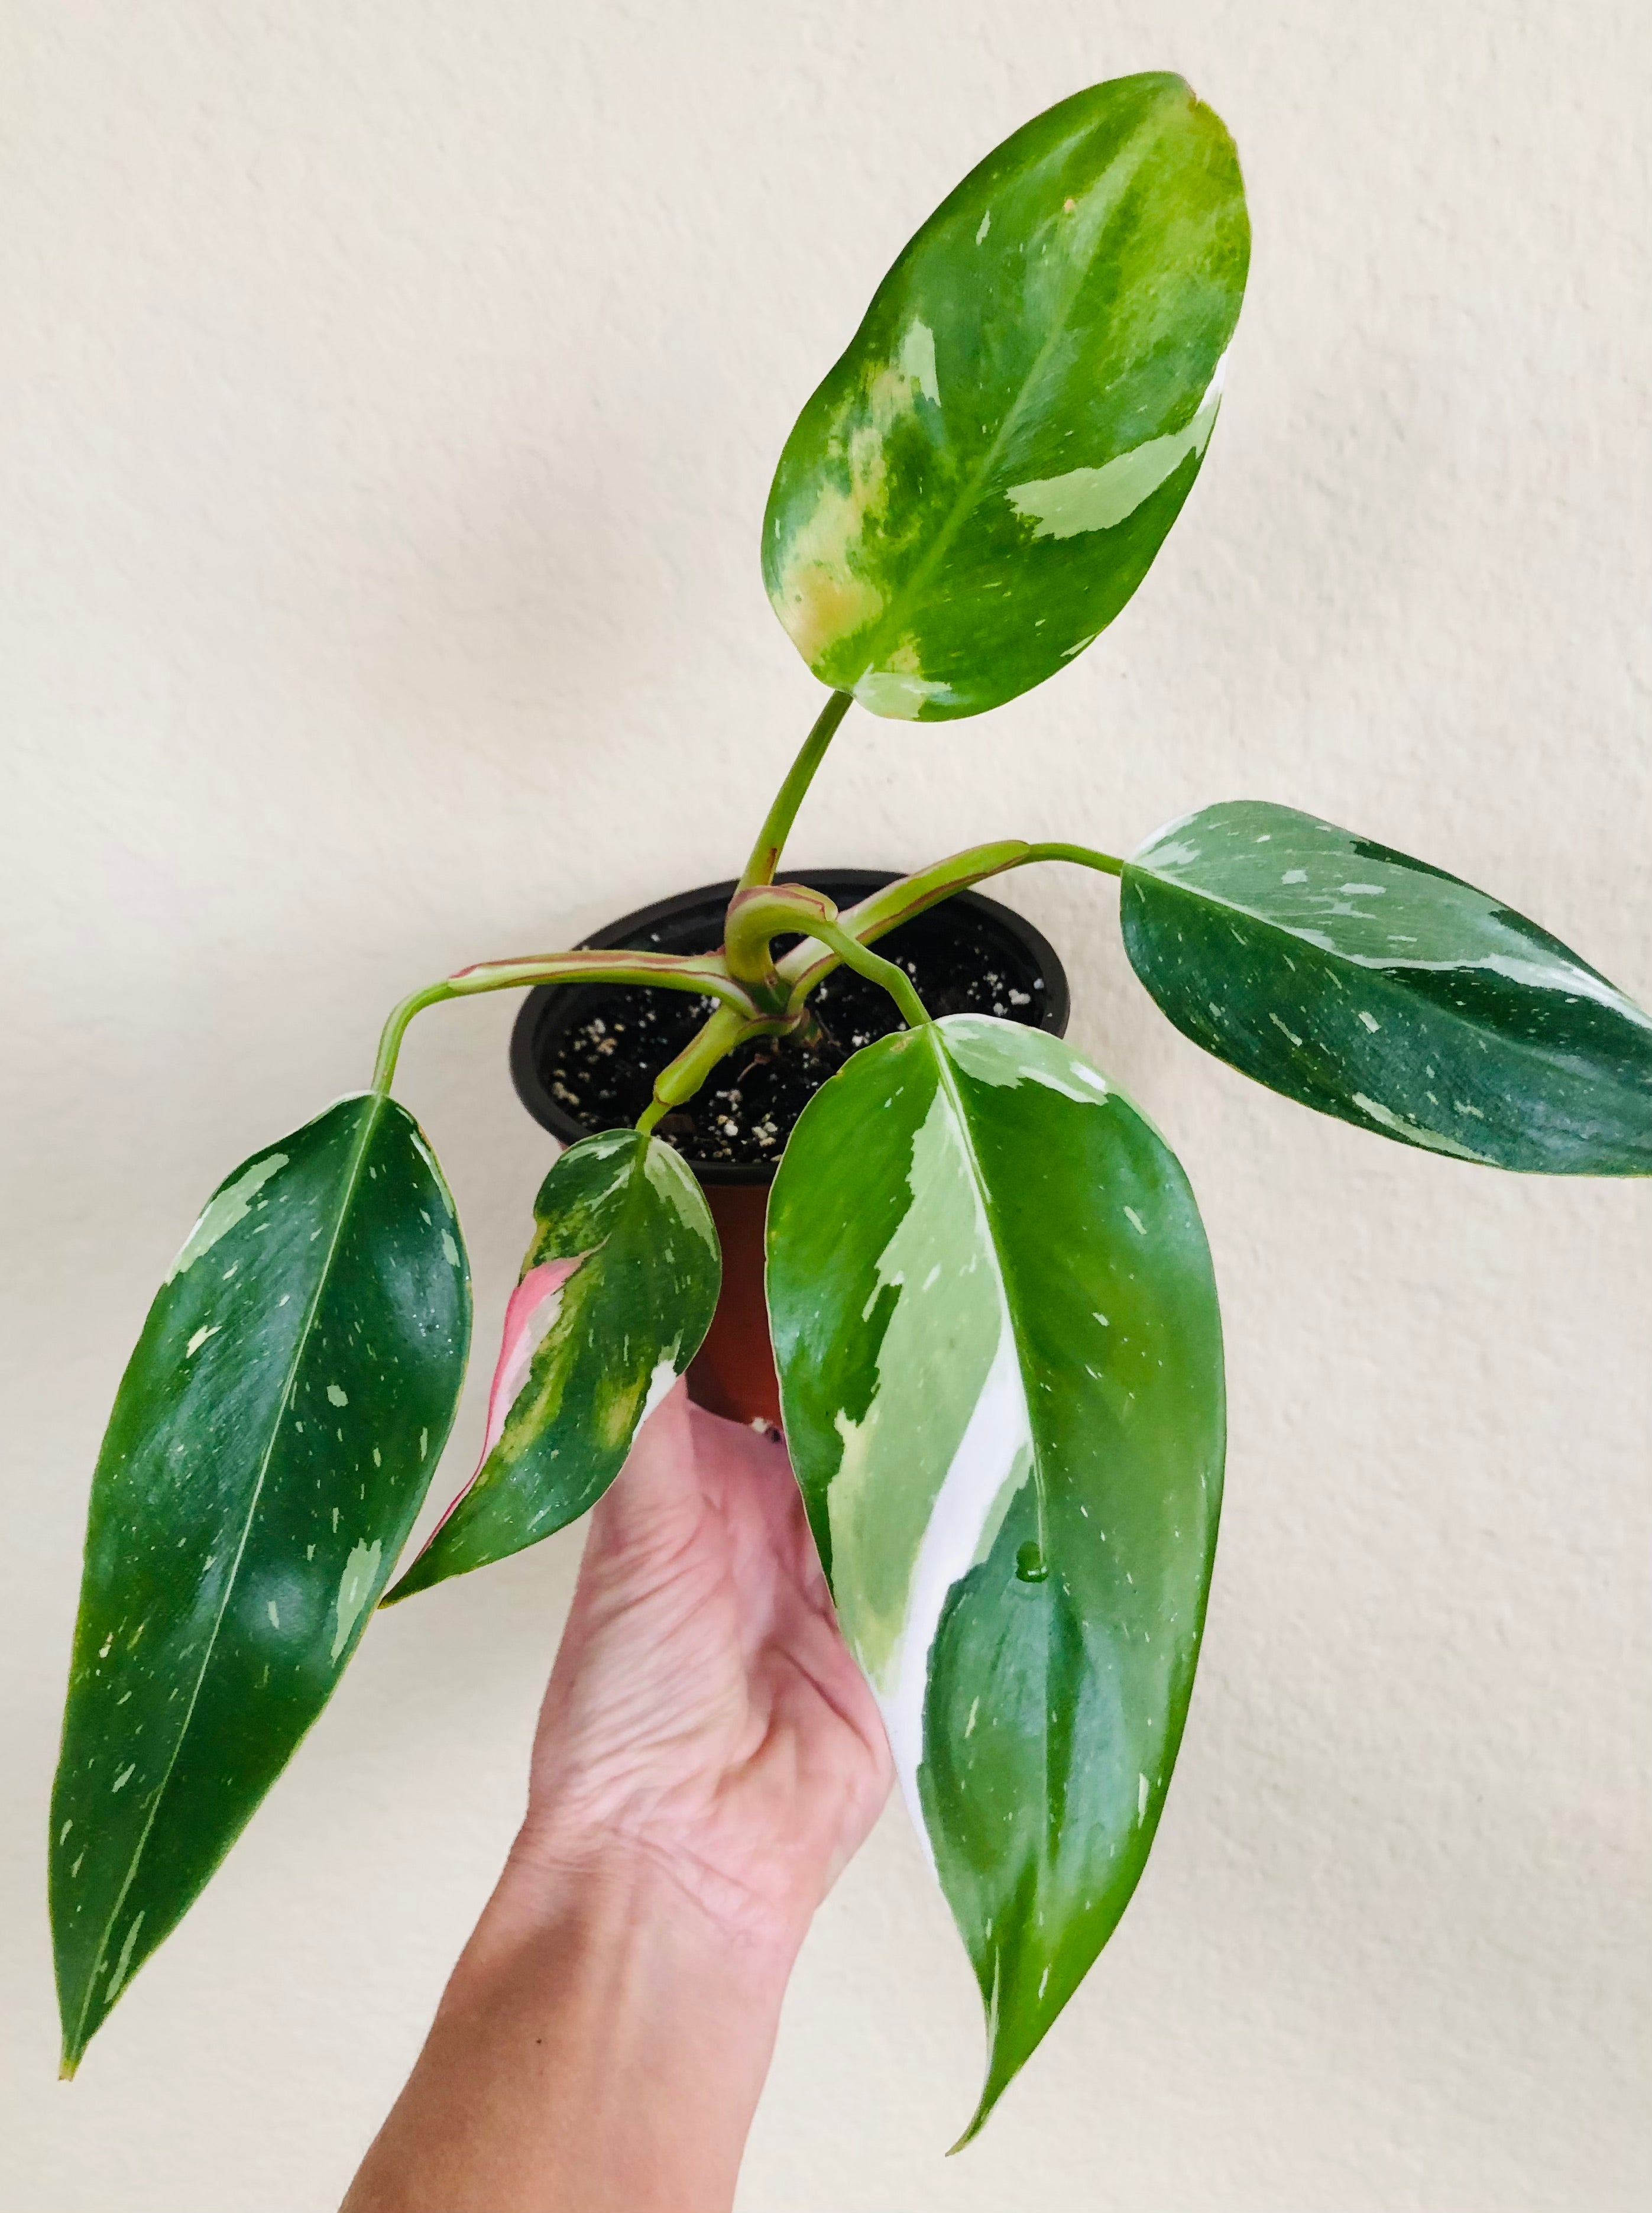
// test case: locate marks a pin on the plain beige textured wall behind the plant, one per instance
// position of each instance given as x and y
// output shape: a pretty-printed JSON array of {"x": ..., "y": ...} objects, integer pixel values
[{"x": 390, "y": 399}]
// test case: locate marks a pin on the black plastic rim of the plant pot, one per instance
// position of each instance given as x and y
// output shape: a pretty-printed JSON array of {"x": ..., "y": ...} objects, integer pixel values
[{"x": 841, "y": 884}]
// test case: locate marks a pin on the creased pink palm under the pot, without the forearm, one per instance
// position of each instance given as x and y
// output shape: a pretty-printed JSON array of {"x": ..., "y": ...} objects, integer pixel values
[{"x": 704, "y": 1707}]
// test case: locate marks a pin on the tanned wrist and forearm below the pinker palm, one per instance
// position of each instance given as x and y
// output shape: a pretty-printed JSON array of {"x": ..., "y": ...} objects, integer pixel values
[{"x": 583, "y": 1984}]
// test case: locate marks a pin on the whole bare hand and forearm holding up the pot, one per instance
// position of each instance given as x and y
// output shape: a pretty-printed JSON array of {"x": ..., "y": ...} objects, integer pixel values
[{"x": 709, "y": 1758}]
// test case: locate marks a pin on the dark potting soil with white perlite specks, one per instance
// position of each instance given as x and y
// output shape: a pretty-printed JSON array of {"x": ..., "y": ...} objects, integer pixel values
[{"x": 603, "y": 1063}]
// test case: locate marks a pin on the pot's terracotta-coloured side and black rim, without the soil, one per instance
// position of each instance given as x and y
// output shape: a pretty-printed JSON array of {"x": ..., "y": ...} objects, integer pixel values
[{"x": 735, "y": 1369}]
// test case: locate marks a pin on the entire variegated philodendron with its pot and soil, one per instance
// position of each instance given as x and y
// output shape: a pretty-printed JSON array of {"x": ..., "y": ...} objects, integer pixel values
[{"x": 994, "y": 1320}]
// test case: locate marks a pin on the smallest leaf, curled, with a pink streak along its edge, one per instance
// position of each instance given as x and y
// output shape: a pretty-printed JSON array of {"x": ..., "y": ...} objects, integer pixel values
[{"x": 616, "y": 1298}]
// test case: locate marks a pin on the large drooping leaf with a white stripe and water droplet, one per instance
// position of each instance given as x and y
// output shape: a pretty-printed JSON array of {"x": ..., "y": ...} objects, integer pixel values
[{"x": 1001, "y": 1371}]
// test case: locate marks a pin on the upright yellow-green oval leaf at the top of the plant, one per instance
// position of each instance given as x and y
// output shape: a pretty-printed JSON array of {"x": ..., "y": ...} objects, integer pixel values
[{"x": 990, "y": 470}]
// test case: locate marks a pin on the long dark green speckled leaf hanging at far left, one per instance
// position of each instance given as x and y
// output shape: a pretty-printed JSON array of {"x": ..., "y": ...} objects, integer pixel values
[{"x": 271, "y": 1444}]
